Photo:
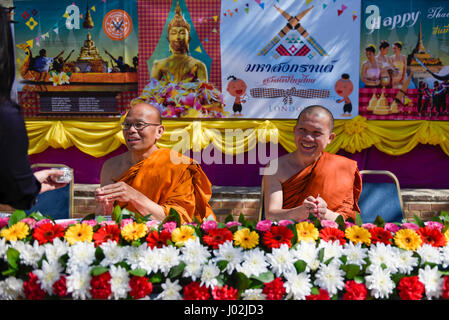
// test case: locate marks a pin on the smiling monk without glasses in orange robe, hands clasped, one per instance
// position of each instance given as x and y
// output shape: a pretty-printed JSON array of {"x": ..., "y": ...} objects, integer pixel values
[{"x": 310, "y": 180}]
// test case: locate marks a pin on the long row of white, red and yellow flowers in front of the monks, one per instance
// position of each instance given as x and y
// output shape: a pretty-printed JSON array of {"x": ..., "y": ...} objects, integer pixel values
[{"x": 132, "y": 257}]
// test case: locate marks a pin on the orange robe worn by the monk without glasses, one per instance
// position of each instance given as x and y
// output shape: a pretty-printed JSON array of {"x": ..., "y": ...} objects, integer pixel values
[{"x": 335, "y": 178}]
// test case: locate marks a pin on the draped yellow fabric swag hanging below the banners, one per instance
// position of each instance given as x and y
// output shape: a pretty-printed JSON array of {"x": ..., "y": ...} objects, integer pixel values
[{"x": 98, "y": 138}]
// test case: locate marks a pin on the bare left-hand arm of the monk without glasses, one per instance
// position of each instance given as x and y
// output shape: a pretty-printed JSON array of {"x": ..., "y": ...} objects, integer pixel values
[{"x": 273, "y": 199}]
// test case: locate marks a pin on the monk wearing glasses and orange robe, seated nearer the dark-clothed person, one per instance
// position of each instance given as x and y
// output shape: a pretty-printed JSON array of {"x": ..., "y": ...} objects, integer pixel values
[{"x": 146, "y": 180}]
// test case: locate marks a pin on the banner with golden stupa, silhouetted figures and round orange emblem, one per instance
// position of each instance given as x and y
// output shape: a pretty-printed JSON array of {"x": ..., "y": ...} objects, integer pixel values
[{"x": 76, "y": 57}]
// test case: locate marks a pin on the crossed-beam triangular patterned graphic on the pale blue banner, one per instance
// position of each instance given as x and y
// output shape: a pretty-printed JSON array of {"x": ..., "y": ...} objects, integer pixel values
[{"x": 295, "y": 44}]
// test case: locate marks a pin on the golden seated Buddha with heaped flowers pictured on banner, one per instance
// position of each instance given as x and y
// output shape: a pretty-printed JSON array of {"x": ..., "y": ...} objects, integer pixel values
[{"x": 178, "y": 83}]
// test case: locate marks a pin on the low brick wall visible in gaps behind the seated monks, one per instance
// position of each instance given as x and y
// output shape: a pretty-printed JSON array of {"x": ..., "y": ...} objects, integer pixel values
[{"x": 425, "y": 203}]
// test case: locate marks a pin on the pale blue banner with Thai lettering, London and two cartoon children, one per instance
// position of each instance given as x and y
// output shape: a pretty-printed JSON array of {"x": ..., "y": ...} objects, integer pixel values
[{"x": 278, "y": 57}]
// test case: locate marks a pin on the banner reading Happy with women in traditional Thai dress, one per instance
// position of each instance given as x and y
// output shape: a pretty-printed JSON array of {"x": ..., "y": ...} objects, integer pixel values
[{"x": 414, "y": 35}]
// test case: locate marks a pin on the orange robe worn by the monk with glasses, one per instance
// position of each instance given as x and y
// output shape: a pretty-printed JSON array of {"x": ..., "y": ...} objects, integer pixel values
[{"x": 181, "y": 186}]
